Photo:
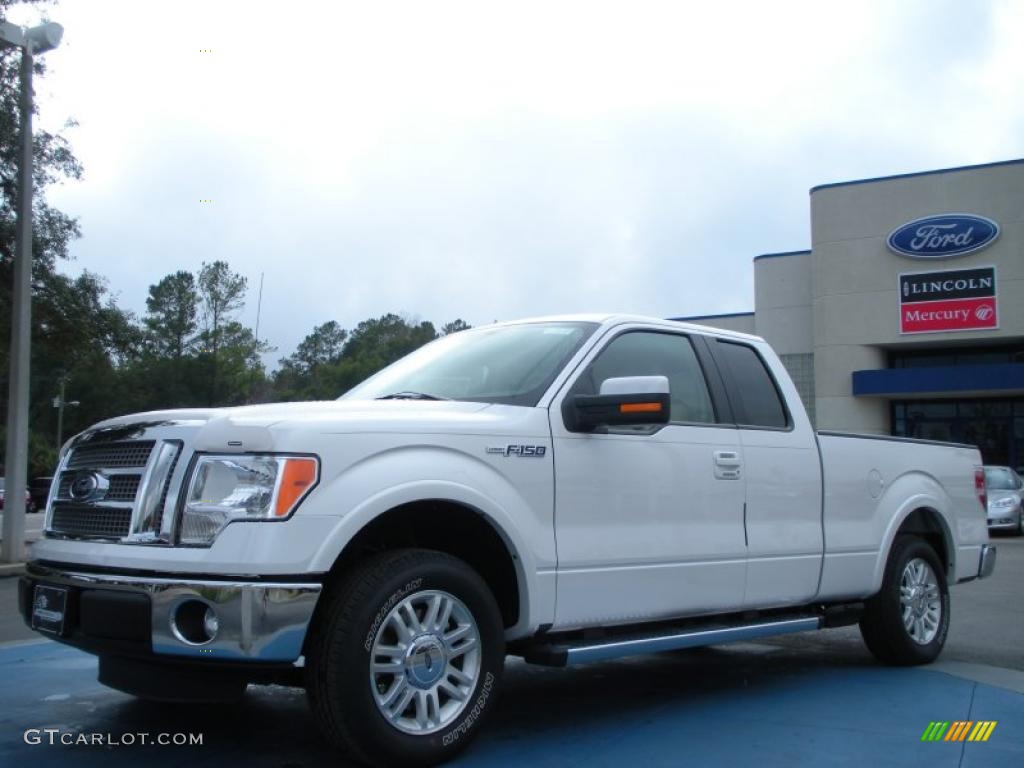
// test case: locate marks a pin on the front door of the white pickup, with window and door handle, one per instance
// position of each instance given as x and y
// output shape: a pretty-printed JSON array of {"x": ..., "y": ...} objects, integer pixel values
[{"x": 649, "y": 522}]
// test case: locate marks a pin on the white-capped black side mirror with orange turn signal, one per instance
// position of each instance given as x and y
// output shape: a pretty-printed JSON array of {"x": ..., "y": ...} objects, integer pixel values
[{"x": 627, "y": 402}]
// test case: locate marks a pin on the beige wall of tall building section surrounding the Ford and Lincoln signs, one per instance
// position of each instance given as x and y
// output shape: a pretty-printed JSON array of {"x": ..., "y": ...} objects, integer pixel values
[{"x": 856, "y": 305}]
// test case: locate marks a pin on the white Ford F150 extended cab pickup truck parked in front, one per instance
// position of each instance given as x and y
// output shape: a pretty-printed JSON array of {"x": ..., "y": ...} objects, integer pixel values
[{"x": 566, "y": 490}]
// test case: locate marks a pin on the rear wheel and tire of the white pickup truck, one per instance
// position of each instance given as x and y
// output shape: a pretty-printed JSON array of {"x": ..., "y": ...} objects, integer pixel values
[{"x": 914, "y": 570}]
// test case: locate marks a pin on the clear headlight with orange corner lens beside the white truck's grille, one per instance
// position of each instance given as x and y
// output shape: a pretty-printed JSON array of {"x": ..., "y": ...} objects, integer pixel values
[{"x": 225, "y": 489}]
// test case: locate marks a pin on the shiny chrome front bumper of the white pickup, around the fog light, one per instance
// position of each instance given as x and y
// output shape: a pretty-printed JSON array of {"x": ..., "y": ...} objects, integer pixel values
[{"x": 258, "y": 621}]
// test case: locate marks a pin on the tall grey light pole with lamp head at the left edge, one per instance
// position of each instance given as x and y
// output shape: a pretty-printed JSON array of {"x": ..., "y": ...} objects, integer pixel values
[{"x": 36, "y": 40}]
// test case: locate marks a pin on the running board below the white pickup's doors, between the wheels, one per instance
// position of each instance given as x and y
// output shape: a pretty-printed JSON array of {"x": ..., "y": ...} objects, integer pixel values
[{"x": 554, "y": 654}]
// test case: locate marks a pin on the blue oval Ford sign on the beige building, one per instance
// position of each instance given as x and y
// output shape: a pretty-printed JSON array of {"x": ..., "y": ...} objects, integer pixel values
[{"x": 944, "y": 236}]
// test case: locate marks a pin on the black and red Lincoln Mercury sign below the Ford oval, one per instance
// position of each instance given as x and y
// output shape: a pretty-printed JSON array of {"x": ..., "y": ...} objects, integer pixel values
[{"x": 950, "y": 301}]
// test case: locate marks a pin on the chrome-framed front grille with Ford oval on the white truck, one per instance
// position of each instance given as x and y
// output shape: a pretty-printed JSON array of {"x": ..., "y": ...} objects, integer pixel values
[{"x": 123, "y": 490}]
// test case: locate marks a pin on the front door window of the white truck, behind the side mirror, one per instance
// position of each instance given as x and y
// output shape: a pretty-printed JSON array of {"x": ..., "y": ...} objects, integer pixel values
[{"x": 645, "y": 354}]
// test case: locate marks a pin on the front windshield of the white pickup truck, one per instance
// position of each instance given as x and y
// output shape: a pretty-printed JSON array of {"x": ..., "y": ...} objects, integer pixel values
[{"x": 511, "y": 365}]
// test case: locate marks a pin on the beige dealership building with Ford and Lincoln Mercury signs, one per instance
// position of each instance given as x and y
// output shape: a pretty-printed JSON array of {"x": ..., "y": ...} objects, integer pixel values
[{"x": 907, "y": 317}]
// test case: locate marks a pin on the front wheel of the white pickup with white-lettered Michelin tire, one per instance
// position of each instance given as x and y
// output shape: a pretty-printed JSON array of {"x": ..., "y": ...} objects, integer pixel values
[{"x": 361, "y": 712}]
